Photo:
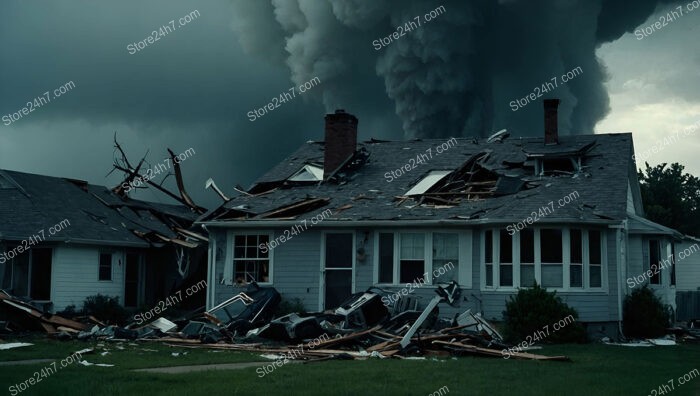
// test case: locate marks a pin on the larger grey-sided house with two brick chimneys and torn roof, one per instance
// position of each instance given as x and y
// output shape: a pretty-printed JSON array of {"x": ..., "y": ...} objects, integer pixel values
[{"x": 460, "y": 214}]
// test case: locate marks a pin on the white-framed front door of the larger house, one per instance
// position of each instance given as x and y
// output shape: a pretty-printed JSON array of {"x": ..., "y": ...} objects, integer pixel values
[{"x": 338, "y": 269}]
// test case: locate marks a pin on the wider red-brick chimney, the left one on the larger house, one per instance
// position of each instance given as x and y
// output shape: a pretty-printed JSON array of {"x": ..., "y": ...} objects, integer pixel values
[{"x": 341, "y": 141}]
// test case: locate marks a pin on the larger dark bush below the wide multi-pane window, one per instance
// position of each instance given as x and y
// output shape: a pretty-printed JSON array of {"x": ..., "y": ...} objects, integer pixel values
[{"x": 533, "y": 311}]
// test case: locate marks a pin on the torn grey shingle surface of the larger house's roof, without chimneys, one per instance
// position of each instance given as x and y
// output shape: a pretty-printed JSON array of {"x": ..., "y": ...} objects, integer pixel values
[{"x": 601, "y": 185}]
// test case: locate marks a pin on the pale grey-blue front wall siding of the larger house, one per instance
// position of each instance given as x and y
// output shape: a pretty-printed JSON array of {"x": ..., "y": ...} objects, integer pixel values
[{"x": 297, "y": 266}]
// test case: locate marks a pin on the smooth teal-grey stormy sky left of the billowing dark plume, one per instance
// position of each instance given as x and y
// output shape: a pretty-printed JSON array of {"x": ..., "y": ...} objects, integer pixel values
[{"x": 191, "y": 88}]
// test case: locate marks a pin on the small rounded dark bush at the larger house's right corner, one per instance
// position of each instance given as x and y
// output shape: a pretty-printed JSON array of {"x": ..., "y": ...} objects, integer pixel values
[{"x": 644, "y": 316}]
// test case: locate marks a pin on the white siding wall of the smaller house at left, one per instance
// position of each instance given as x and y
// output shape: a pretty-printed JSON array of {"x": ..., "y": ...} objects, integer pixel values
[{"x": 75, "y": 276}]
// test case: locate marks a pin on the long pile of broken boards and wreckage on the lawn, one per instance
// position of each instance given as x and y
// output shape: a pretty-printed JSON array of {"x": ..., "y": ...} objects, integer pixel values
[{"x": 361, "y": 327}]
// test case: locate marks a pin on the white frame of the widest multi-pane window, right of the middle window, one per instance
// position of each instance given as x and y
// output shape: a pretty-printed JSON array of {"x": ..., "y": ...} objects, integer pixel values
[{"x": 566, "y": 261}]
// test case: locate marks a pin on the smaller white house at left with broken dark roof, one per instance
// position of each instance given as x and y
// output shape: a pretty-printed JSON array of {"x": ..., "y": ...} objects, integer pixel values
[{"x": 138, "y": 251}]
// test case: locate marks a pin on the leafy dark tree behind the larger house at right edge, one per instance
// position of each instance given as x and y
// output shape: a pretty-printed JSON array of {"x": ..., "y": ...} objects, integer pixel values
[{"x": 671, "y": 197}]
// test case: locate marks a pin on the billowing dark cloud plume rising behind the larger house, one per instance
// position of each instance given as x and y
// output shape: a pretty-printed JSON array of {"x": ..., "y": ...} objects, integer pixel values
[{"x": 457, "y": 74}]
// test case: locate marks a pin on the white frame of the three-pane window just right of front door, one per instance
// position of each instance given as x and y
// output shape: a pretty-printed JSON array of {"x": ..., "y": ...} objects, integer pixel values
[{"x": 465, "y": 244}]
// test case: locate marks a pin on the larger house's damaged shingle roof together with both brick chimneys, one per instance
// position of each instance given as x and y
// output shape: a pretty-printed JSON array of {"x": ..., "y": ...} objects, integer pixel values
[{"x": 496, "y": 180}]
